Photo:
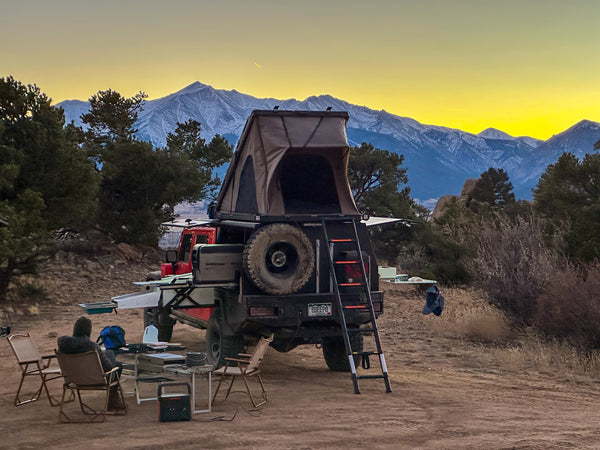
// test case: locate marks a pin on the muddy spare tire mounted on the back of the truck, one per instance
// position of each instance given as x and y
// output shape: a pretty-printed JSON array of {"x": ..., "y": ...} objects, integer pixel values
[{"x": 278, "y": 259}]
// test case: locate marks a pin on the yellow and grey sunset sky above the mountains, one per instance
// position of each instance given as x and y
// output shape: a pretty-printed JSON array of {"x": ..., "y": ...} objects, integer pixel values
[{"x": 527, "y": 67}]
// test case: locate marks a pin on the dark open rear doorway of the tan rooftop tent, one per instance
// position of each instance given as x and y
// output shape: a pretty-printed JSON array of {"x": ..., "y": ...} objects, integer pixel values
[{"x": 308, "y": 185}]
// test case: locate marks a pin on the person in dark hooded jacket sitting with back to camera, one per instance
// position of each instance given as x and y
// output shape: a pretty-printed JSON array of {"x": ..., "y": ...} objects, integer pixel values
[{"x": 80, "y": 342}]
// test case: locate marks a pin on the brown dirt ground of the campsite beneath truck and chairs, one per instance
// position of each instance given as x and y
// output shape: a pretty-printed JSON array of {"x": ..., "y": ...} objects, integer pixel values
[{"x": 447, "y": 392}]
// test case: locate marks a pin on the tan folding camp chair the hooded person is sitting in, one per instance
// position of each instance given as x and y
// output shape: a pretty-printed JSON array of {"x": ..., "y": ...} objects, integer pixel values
[{"x": 83, "y": 372}]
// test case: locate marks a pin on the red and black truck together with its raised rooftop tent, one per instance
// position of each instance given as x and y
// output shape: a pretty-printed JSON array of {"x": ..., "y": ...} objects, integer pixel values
[{"x": 263, "y": 261}]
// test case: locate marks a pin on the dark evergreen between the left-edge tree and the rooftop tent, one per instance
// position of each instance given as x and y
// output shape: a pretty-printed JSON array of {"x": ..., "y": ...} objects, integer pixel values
[{"x": 140, "y": 186}]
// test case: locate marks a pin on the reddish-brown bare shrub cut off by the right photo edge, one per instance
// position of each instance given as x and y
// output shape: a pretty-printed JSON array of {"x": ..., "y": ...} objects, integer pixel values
[{"x": 568, "y": 308}]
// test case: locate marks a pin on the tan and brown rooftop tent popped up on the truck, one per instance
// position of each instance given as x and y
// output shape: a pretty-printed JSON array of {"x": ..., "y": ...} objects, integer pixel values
[{"x": 289, "y": 163}]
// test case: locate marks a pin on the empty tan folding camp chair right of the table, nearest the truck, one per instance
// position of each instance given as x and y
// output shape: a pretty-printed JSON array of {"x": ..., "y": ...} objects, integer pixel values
[{"x": 245, "y": 366}]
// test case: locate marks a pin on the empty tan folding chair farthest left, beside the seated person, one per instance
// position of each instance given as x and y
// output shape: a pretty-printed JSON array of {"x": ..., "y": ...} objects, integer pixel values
[{"x": 32, "y": 364}]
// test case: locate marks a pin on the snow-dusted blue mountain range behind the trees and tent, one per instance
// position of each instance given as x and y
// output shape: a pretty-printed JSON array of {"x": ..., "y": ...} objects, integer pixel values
[{"x": 438, "y": 159}]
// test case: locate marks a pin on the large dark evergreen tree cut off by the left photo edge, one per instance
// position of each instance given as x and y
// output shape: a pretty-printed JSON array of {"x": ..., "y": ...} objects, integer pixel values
[{"x": 46, "y": 179}]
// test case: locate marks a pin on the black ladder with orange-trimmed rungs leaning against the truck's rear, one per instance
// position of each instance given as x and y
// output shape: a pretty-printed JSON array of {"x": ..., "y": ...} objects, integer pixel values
[{"x": 364, "y": 284}]
